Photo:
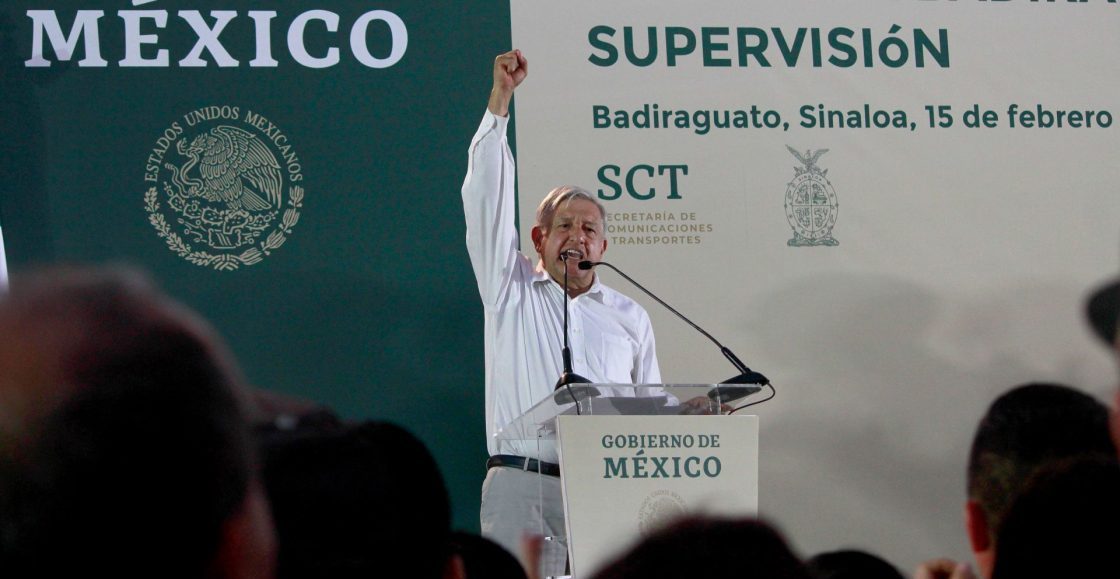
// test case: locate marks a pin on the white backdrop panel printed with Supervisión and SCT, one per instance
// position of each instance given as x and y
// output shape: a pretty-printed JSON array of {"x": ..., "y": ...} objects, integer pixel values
[{"x": 963, "y": 254}]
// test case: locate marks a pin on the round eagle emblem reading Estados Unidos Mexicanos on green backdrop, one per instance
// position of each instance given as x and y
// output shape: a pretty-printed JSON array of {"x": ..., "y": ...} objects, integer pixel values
[{"x": 225, "y": 188}]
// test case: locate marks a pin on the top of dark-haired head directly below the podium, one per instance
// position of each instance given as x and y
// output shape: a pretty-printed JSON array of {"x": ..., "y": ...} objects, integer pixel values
[{"x": 710, "y": 548}]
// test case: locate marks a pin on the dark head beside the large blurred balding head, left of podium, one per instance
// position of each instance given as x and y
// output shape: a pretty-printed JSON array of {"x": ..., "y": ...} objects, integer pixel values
[{"x": 352, "y": 501}]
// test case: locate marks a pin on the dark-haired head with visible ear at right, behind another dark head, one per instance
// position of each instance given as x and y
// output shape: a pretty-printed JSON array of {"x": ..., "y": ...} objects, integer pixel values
[{"x": 1025, "y": 429}]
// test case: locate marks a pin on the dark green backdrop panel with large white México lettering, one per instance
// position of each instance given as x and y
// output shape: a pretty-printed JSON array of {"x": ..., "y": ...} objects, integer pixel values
[{"x": 368, "y": 303}]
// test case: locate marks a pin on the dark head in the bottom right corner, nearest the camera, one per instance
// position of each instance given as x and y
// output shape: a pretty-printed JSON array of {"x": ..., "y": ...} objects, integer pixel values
[{"x": 1065, "y": 524}]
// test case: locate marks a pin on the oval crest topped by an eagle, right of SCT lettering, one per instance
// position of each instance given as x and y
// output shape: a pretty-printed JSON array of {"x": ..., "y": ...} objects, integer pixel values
[{"x": 811, "y": 206}]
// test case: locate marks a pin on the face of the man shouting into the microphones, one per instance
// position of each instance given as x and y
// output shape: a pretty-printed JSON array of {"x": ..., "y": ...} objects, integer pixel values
[{"x": 576, "y": 226}]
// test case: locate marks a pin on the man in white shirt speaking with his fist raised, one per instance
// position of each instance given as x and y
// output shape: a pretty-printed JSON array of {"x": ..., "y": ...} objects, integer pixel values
[{"x": 612, "y": 339}]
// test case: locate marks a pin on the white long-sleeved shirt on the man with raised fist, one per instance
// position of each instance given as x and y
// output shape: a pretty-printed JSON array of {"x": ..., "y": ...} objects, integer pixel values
[{"x": 612, "y": 339}]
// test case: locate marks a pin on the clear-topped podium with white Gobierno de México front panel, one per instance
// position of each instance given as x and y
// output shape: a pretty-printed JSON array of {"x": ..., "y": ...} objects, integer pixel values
[{"x": 634, "y": 457}]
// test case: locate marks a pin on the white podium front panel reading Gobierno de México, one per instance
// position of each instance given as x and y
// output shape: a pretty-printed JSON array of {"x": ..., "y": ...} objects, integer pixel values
[{"x": 626, "y": 477}]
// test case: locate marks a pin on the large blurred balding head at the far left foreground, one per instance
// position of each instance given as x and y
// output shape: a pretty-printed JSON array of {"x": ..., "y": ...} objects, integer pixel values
[{"x": 124, "y": 445}]
